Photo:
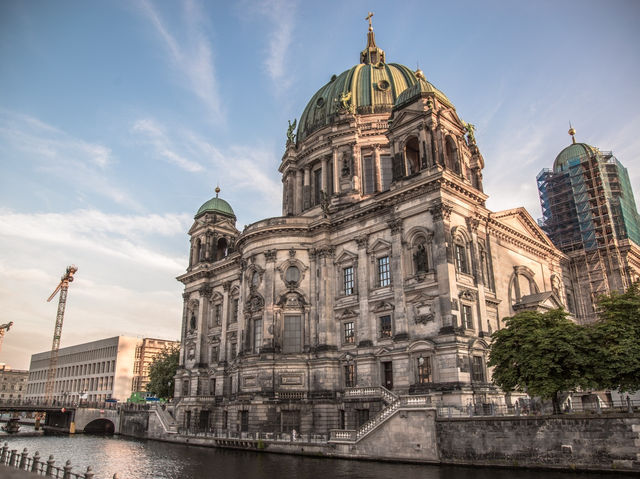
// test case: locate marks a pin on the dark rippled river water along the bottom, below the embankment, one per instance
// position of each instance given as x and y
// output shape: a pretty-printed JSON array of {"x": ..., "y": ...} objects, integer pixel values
[{"x": 137, "y": 459}]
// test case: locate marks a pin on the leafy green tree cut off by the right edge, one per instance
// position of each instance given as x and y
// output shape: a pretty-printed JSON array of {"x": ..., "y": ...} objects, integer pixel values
[{"x": 615, "y": 339}]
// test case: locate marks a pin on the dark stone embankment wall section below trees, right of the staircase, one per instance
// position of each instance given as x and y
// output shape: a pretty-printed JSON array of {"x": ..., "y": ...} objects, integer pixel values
[{"x": 607, "y": 442}]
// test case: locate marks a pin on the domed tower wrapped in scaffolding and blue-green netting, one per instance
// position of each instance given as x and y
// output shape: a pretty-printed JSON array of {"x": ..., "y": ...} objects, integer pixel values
[{"x": 589, "y": 212}]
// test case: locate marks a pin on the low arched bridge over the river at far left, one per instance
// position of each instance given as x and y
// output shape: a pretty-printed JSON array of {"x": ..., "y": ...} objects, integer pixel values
[{"x": 70, "y": 418}]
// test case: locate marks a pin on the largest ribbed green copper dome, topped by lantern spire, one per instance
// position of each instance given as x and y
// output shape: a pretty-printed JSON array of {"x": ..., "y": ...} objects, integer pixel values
[{"x": 373, "y": 86}]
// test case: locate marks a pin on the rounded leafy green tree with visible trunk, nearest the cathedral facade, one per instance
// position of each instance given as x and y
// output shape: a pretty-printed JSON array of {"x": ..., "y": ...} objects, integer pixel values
[{"x": 542, "y": 354}]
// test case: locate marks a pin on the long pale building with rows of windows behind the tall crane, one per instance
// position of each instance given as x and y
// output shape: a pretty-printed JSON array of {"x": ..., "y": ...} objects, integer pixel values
[{"x": 93, "y": 371}]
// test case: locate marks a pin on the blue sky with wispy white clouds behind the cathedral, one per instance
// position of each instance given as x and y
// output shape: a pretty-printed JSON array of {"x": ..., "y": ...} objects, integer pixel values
[{"x": 118, "y": 119}]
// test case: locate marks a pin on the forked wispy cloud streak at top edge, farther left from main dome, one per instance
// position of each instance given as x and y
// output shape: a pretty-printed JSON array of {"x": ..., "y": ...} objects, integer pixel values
[{"x": 191, "y": 54}]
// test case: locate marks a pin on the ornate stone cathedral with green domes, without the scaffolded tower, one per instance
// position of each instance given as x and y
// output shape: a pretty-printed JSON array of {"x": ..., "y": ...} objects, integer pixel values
[{"x": 384, "y": 277}]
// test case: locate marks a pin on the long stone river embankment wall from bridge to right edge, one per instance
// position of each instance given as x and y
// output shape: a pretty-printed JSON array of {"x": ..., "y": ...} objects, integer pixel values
[{"x": 569, "y": 442}]
